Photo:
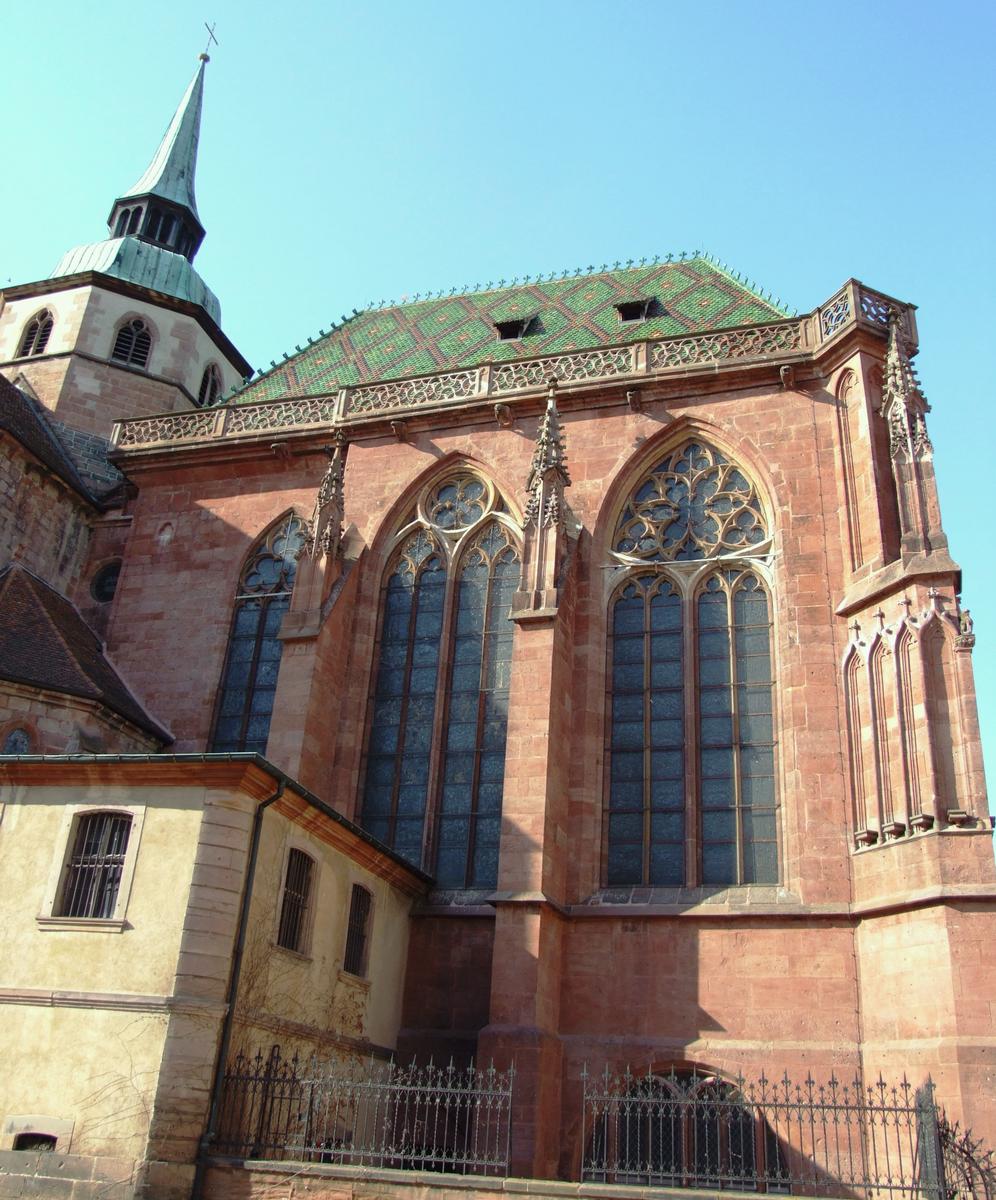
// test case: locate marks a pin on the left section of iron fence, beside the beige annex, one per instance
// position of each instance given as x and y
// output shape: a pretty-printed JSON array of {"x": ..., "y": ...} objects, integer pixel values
[{"x": 368, "y": 1114}]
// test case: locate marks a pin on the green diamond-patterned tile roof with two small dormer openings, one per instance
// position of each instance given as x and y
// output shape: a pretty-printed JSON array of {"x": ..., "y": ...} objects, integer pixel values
[{"x": 578, "y": 313}]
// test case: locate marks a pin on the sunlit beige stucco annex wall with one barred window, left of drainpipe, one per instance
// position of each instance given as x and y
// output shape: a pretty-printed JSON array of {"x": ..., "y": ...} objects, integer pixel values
[{"x": 83, "y": 1011}]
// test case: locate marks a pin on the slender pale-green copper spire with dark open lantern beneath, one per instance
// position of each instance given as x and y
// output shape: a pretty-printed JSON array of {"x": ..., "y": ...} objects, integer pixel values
[{"x": 160, "y": 208}]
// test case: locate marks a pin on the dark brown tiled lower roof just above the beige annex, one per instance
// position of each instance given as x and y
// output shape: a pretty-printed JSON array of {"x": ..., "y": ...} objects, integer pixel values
[{"x": 45, "y": 643}]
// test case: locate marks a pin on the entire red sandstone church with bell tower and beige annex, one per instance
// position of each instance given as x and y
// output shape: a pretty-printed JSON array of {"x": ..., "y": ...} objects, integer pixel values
[{"x": 567, "y": 674}]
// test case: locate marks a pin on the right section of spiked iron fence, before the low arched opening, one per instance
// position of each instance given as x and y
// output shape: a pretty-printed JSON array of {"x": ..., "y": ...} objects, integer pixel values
[{"x": 836, "y": 1139}]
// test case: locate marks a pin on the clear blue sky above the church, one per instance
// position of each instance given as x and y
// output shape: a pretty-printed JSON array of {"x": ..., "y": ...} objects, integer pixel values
[{"x": 352, "y": 153}]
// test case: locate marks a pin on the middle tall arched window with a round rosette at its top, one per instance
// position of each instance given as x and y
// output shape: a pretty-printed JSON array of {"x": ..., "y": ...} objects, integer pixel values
[{"x": 436, "y": 752}]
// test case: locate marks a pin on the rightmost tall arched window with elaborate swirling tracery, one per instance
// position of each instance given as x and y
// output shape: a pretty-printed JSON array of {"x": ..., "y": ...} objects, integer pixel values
[{"x": 691, "y": 767}]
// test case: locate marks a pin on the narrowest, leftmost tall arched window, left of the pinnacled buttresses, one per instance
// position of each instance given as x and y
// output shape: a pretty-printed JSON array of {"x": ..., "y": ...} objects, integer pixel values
[{"x": 250, "y": 677}]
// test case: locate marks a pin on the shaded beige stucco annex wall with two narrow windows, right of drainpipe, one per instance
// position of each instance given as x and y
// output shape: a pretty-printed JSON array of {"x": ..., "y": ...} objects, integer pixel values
[{"x": 307, "y": 1001}]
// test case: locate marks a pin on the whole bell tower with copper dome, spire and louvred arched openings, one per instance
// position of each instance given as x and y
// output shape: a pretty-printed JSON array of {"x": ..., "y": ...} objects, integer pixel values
[{"x": 127, "y": 327}]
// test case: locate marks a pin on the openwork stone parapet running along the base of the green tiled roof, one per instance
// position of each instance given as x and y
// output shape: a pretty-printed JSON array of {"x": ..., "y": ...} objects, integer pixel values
[{"x": 854, "y": 307}]
